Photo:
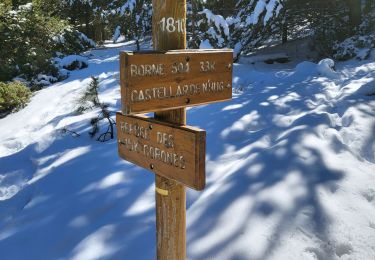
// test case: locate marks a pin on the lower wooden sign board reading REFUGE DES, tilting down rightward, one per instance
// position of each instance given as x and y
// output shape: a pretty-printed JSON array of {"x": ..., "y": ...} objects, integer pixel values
[{"x": 175, "y": 152}]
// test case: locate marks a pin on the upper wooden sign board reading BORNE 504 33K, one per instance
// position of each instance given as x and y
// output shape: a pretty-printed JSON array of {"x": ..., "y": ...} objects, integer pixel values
[{"x": 156, "y": 81}]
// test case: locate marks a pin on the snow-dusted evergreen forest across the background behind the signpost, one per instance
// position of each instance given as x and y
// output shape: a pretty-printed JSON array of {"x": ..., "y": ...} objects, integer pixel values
[{"x": 40, "y": 40}]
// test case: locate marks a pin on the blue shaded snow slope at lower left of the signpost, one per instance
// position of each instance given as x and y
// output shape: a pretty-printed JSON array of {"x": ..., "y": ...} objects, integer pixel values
[{"x": 80, "y": 202}]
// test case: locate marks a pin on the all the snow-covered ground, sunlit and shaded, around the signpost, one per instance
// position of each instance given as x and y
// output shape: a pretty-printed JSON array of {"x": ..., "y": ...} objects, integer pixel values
[{"x": 290, "y": 171}]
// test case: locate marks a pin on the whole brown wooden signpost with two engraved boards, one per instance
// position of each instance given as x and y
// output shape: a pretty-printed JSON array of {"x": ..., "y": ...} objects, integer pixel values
[{"x": 166, "y": 82}]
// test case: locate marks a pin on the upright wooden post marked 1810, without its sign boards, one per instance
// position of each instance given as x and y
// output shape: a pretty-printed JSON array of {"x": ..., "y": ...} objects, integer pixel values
[{"x": 169, "y": 32}]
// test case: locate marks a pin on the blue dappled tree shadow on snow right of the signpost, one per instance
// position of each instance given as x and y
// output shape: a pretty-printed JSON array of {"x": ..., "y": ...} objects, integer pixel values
[{"x": 266, "y": 164}]
